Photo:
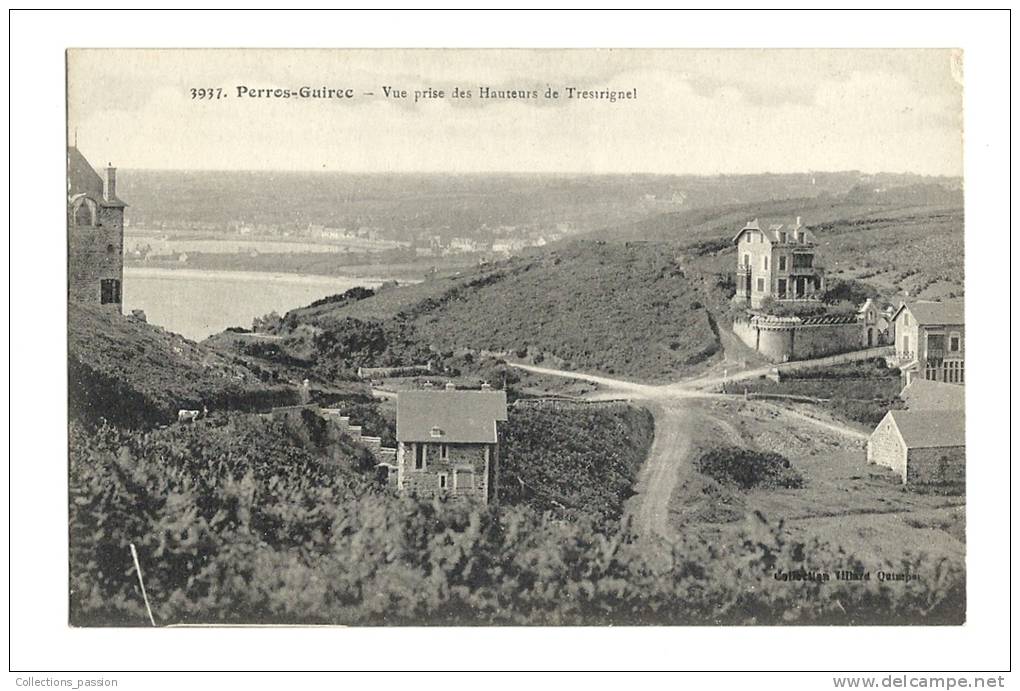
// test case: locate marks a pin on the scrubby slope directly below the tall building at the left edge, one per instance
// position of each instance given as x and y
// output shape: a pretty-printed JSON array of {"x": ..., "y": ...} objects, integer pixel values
[{"x": 134, "y": 374}]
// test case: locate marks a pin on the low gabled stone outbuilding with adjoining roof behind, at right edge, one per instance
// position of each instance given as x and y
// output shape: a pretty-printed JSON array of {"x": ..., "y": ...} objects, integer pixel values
[{"x": 926, "y": 445}]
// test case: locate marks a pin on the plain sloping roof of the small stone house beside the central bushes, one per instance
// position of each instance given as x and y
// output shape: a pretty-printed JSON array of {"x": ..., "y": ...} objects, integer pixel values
[{"x": 455, "y": 417}]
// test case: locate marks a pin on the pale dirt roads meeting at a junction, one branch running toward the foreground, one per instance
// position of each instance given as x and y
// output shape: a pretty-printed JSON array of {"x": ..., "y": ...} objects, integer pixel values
[{"x": 677, "y": 412}]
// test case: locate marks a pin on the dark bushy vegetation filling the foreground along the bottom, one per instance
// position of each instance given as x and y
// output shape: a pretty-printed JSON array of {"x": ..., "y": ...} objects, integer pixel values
[{"x": 236, "y": 521}]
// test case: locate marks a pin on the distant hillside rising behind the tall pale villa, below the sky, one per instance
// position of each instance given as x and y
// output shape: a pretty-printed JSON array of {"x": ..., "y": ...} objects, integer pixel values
[{"x": 902, "y": 240}]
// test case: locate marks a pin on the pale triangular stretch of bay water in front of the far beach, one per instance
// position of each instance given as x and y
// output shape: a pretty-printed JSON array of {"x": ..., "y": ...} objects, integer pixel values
[{"x": 197, "y": 305}]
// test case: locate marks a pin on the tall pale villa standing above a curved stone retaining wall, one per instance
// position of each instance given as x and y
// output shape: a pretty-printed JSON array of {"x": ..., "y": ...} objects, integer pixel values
[{"x": 777, "y": 262}]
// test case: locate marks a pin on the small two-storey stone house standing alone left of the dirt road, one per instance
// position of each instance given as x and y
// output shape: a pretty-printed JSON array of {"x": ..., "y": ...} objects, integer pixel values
[{"x": 448, "y": 442}]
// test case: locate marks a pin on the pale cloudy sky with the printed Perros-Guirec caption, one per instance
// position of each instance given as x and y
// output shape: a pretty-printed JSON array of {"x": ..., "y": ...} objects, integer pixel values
[{"x": 696, "y": 112}]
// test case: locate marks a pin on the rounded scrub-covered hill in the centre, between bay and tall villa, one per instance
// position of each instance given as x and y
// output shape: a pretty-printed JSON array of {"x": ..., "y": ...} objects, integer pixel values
[{"x": 619, "y": 310}]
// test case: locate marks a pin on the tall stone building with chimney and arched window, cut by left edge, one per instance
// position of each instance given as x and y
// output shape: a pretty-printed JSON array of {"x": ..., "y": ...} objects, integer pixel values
[{"x": 95, "y": 234}]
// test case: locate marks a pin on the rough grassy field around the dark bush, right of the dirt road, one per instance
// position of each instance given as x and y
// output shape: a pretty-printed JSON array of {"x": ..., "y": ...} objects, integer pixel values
[{"x": 864, "y": 509}]
